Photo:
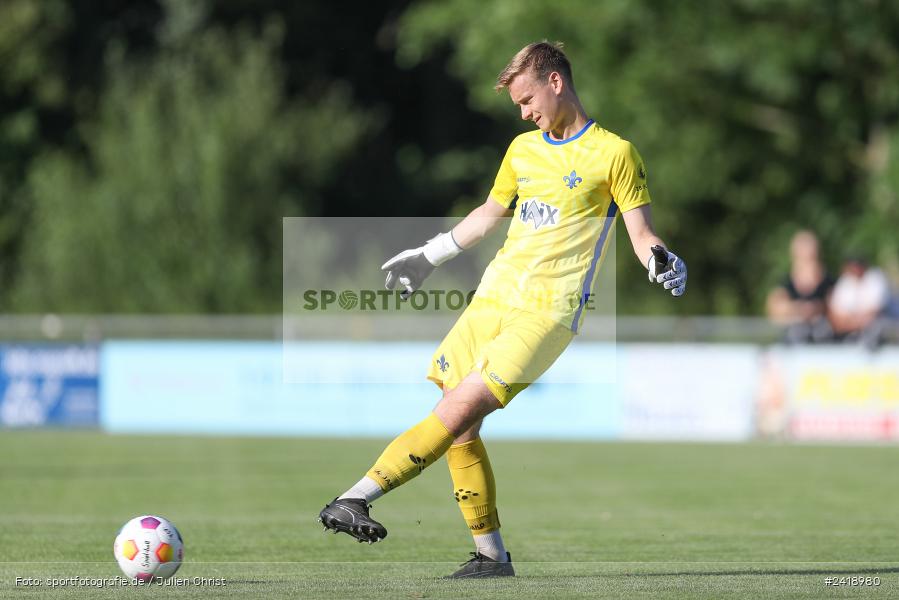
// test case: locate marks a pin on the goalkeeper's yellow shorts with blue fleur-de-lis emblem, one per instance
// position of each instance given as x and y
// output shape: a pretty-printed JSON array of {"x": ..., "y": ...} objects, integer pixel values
[{"x": 510, "y": 348}]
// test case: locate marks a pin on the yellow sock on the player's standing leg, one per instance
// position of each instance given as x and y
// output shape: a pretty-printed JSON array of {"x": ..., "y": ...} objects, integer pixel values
[{"x": 474, "y": 486}]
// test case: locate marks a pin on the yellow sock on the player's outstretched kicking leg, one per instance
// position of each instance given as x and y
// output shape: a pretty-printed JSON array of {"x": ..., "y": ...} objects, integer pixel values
[{"x": 409, "y": 454}]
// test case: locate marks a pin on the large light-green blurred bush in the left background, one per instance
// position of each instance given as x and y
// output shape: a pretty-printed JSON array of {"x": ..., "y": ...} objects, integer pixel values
[{"x": 176, "y": 203}]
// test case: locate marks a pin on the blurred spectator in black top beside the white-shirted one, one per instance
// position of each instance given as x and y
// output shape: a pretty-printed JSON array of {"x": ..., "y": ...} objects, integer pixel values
[{"x": 799, "y": 303}]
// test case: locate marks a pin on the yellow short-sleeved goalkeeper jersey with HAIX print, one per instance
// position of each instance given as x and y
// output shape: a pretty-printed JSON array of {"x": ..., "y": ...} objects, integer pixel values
[{"x": 566, "y": 195}]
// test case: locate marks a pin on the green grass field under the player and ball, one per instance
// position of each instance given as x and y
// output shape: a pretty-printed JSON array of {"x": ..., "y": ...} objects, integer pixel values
[{"x": 581, "y": 520}]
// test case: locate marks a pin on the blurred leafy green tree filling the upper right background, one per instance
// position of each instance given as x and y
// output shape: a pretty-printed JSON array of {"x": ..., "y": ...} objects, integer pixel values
[{"x": 755, "y": 117}]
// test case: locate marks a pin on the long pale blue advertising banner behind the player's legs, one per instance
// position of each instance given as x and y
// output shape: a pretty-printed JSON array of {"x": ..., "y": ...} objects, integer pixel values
[{"x": 239, "y": 388}]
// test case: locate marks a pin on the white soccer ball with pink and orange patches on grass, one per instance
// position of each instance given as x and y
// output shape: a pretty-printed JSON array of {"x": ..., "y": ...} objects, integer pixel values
[{"x": 148, "y": 548}]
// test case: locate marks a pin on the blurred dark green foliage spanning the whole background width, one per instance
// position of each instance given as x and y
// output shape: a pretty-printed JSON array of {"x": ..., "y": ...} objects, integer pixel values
[{"x": 149, "y": 149}]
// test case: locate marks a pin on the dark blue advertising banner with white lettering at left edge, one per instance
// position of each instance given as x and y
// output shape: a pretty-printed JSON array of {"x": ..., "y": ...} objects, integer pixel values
[{"x": 49, "y": 384}]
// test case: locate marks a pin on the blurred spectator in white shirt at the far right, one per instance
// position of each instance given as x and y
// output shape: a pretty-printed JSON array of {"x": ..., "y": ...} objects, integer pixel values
[{"x": 857, "y": 307}]
